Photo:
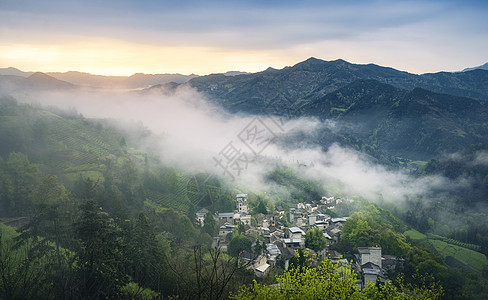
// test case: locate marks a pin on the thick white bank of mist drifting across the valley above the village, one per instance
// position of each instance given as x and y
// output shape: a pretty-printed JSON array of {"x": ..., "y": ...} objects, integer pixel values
[{"x": 191, "y": 133}]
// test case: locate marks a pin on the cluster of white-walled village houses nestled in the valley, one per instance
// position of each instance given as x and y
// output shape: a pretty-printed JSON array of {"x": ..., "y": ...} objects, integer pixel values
[{"x": 278, "y": 243}]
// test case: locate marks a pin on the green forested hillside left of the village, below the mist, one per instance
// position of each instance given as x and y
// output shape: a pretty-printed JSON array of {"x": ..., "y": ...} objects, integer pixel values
[{"x": 97, "y": 217}]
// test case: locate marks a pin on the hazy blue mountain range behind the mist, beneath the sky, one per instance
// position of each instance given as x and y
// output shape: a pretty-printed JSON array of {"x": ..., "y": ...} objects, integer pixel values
[{"x": 392, "y": 115}]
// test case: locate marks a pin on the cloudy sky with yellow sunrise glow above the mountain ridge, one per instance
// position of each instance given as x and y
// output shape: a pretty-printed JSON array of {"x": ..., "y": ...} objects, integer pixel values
[{"x": 120, "y": 37}]
